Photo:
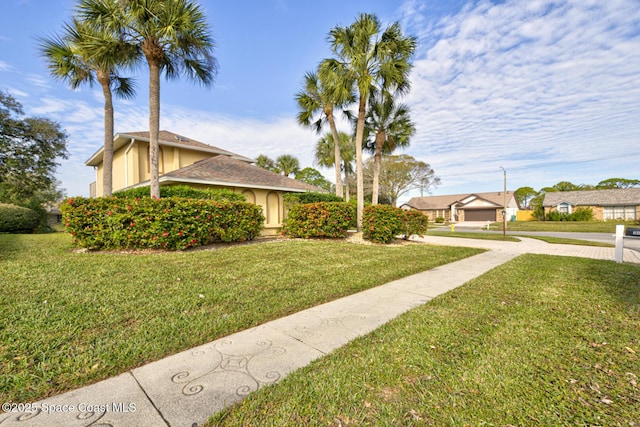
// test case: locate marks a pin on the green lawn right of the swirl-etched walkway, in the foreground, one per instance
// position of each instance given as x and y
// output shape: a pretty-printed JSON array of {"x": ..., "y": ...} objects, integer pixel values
[{"x": 539, "y": 341}]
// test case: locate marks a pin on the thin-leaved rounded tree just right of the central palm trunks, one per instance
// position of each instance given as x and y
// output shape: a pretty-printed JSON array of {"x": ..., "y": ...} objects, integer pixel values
[{"x": 401, "y": 174}]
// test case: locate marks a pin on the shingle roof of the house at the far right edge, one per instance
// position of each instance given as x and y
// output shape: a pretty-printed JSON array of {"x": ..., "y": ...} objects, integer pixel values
[{"x": 618, "y": 196}]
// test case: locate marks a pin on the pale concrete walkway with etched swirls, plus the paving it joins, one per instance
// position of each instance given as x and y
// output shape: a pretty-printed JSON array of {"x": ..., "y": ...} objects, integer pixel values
[{"x": 188, "y": 387}]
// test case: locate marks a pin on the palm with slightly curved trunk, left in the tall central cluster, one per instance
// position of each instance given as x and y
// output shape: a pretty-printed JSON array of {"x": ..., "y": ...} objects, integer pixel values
[{"x": 321, "y": 96}]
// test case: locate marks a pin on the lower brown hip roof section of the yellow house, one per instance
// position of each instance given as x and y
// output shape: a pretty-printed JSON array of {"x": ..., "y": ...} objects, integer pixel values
[{"x": 223, "y": 170}]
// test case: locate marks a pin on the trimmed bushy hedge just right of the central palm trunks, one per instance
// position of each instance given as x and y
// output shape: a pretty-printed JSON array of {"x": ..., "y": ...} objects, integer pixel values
[{"x": 381, "y": 223}]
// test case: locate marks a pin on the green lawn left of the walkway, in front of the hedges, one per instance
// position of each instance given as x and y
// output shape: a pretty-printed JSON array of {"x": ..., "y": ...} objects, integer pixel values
[{"x": 69, "y": 319}]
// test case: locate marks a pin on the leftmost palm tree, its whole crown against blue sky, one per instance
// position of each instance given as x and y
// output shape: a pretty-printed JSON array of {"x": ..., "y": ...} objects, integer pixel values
[{"x": 86, "y": 55}]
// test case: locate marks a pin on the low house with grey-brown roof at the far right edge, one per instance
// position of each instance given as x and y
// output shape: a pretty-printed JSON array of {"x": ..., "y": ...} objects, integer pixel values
[{"x": 613, "y": 204}]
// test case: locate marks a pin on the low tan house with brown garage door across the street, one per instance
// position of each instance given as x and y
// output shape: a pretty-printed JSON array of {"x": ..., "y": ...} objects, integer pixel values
[{"x": 465, "y": 207}]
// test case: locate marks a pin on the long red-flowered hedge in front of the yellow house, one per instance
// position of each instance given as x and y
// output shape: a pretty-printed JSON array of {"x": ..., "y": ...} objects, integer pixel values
[{"x": 167, "y": 223}]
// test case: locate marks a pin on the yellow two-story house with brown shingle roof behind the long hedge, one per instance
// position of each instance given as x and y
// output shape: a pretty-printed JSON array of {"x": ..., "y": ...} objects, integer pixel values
[{"x": 186, "y": 161}]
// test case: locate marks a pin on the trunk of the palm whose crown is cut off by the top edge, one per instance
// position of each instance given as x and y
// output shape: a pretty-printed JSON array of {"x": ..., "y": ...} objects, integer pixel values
[{"x": 154, "y": 125}]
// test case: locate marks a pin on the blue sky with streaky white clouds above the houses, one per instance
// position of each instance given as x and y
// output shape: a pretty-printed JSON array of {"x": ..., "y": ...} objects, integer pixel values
[{"x": 547, "y": 89}]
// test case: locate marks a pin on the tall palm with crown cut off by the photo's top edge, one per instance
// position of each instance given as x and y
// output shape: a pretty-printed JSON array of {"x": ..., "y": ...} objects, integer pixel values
[{"x": 174, "y": 38}]
